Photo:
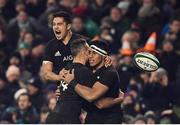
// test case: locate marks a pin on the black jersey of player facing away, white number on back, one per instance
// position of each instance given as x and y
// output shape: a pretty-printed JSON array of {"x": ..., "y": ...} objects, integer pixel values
[{"x": 70, "y": 103}]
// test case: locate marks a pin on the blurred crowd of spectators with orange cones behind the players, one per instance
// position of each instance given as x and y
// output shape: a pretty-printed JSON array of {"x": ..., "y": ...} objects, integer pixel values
[{"x": 129, "y": 26}]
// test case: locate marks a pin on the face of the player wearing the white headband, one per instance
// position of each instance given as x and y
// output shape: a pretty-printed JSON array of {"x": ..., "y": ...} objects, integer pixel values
[{"x": 95, "y": 59}]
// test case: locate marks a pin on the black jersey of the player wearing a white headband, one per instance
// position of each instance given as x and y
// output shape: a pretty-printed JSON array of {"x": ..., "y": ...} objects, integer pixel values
[{"x": 110, "y": 78}]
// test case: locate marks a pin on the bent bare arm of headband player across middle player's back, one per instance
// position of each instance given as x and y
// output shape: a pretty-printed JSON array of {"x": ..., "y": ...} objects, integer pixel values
[{"x": 91, "y": 94}]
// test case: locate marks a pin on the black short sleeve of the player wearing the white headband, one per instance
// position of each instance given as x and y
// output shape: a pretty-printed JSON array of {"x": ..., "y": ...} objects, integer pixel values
[{"x": 108, "y": 78}]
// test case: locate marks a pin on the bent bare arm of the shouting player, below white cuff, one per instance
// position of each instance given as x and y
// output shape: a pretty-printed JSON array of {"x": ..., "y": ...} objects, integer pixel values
[{"x": 48, "y": 74}]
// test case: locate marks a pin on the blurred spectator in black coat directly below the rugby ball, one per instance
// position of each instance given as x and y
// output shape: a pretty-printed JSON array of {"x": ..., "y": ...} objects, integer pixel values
[{"x": 156, "y": 92}]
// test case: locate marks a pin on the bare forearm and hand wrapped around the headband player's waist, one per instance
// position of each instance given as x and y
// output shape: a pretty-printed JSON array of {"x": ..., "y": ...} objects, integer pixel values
[{"x": 108, "y": 102}]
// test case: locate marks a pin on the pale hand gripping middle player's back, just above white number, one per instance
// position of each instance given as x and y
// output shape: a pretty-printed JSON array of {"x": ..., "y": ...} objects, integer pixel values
[{"x": 67, "y": 75}]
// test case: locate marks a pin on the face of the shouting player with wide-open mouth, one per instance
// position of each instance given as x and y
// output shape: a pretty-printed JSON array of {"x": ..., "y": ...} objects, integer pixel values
[{"x": 60, "y": 28}]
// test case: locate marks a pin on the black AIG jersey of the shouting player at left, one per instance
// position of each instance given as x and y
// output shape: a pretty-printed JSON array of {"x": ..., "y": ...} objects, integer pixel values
[{"x": 58, "y": 53}]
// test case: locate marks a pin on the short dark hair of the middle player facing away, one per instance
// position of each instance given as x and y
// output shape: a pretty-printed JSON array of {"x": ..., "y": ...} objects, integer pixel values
[{"x": 77, "y": 45}]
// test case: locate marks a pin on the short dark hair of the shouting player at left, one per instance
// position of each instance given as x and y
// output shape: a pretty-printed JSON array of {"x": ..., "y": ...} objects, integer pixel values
[{"x": 67, "y": 16}]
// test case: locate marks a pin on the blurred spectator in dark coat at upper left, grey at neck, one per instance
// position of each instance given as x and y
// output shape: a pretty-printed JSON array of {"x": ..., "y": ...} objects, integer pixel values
[{"x": 22, "y": 22}]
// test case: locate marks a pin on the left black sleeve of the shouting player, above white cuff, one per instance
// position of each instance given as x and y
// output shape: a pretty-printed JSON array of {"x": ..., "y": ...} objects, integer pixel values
[{"x": 48, "y": 54}]
